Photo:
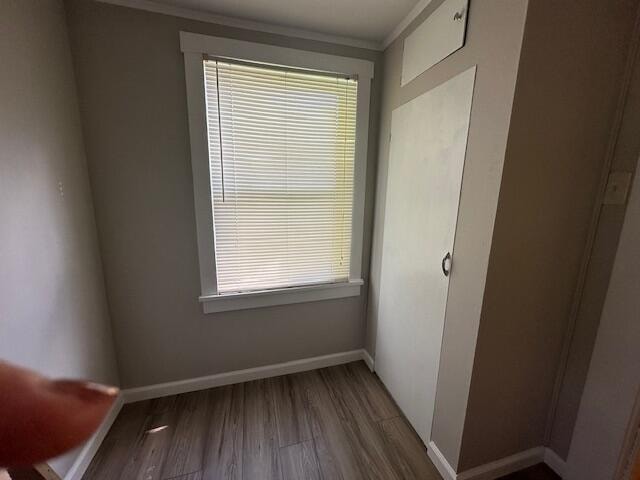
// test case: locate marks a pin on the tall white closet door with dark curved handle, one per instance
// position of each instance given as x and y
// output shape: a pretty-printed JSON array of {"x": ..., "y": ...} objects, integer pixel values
[{"x": 426, "y": 159}]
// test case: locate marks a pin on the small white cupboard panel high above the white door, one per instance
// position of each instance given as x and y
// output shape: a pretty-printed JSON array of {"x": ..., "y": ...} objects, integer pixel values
[{"x": 441, "y": 34}]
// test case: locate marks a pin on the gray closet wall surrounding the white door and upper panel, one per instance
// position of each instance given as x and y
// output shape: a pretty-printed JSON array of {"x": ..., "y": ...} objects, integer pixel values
[{"x": 493, "y": 43}]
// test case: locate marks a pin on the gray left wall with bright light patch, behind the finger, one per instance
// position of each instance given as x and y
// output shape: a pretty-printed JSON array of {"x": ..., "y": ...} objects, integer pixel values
[{"x": 53, "y": 309}]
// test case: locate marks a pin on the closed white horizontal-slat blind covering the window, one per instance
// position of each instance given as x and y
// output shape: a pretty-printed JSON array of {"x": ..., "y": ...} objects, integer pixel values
[{"x": 281, "y": 156}]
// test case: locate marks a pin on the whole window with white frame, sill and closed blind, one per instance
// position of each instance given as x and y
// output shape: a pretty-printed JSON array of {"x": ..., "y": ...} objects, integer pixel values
[{"x": 278, "y": 146}]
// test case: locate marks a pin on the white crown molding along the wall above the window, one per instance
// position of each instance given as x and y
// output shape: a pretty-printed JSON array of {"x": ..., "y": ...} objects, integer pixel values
[{"x": 202, "y": 16}]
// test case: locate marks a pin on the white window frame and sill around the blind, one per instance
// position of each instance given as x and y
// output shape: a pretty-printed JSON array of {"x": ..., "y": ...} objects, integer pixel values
[{"x": 194, "y": 47}]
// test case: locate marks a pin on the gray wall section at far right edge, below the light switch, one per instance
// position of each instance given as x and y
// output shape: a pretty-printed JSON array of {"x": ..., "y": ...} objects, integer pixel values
[{"x": 613, "y": 384}]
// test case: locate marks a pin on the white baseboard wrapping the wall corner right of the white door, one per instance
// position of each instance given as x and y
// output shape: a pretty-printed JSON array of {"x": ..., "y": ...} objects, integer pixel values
[{"x": 498, "y": 468}]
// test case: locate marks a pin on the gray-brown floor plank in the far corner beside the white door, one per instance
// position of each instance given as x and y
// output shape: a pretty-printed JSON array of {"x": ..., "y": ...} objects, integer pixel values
[{"x": 375, "y": 399}]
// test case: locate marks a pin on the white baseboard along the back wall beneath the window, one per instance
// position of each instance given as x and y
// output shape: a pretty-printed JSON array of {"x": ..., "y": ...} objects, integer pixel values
[{"x": 239, "y": 376}]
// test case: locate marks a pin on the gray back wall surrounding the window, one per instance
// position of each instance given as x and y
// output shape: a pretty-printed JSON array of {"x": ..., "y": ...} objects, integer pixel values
[{"x": 130, "y": 76}]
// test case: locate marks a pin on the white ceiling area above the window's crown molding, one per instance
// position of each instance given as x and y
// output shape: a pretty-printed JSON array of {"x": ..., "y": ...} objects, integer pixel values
[{"x": 366, "y": 20}]
